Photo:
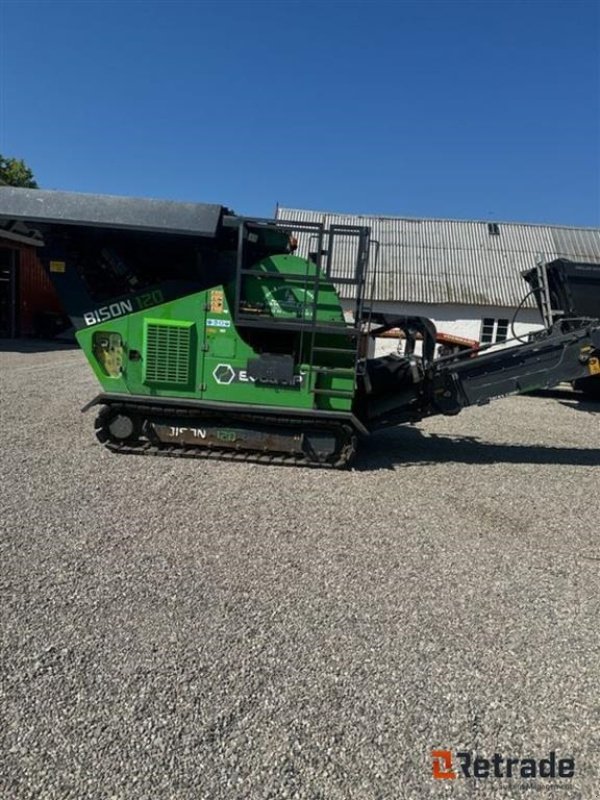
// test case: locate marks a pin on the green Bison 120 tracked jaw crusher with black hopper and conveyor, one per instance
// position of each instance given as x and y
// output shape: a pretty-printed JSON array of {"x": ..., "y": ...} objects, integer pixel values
[{"x": 211, "y": 337}]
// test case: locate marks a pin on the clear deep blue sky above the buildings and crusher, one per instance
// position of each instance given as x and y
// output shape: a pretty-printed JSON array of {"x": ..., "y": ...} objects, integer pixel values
[{"x": 483, "y": 110}]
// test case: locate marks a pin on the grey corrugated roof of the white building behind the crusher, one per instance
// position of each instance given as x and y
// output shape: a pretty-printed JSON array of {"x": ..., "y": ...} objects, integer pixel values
[{"x": 453, "y": 261}]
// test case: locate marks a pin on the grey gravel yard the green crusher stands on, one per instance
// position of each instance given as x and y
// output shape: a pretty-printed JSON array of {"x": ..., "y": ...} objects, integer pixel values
[{"x": 177, "y": 629}]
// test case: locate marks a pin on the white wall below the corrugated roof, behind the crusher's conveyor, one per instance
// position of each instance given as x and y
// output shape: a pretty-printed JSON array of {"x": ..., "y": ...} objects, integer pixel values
[{"x": 457, "y": 319}]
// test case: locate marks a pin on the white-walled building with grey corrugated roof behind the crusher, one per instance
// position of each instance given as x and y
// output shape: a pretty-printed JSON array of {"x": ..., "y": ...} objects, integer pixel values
[{"x": 463, "y": 275}]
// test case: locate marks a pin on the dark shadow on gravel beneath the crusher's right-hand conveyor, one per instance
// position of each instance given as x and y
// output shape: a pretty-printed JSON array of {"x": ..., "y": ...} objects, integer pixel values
[{"x": 407, "y": 446}]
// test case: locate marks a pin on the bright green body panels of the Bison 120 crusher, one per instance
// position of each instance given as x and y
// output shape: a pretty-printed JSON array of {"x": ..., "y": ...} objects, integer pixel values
[{"x": 191, "y": 348}]
